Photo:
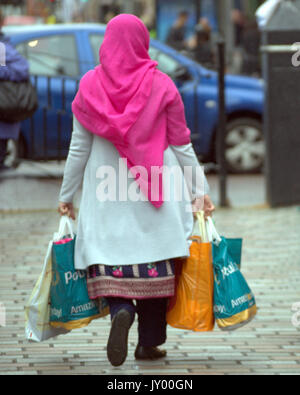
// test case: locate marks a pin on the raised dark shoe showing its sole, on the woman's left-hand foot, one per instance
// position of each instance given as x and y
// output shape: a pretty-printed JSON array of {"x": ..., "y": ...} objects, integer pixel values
[{"x": 118, "y": 338}]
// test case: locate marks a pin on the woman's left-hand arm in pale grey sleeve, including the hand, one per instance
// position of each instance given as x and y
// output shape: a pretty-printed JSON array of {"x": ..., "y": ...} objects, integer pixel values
[{"x": 79, "y": 152}]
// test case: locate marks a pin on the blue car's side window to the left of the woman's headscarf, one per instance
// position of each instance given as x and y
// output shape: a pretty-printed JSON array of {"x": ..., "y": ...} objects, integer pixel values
[{"x": 52, "y": 55}]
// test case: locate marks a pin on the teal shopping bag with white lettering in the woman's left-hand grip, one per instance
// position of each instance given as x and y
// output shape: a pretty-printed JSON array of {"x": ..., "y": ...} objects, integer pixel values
[{"x": 71, "y": 307}]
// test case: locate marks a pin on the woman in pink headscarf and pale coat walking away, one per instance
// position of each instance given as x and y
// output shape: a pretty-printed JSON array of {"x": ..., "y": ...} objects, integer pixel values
[{"x": 129, "y": 126}]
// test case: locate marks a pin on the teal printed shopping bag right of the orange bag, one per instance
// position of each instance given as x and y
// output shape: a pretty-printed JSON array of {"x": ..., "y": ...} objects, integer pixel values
[{"x": 234, "y": 302}]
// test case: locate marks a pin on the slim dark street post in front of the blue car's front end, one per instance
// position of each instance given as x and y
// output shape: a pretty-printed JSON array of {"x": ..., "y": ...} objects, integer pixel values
[{"x": 221, "y": 144}]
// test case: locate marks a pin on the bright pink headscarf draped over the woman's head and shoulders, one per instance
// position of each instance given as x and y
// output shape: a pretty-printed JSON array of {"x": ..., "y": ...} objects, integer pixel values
[{"x": 113, "y": 102}]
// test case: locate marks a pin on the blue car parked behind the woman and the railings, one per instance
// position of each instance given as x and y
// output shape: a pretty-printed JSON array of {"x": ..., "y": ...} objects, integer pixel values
[{"x": 59, "y": 55}]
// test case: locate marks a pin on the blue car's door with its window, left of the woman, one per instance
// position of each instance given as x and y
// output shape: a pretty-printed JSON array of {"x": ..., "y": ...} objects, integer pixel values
[{"x": 55, "y": 69}]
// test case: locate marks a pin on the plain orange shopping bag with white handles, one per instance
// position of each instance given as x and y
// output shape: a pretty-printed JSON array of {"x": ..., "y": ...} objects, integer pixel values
[{"x": 192, "y": 306}]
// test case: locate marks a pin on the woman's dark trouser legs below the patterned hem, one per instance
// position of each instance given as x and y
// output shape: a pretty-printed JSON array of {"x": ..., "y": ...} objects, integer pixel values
[{"x": 152, "y": 325}]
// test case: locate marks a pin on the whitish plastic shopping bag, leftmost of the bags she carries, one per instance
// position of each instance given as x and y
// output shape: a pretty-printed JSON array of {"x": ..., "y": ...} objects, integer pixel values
[{"x": 37, "y": 309}]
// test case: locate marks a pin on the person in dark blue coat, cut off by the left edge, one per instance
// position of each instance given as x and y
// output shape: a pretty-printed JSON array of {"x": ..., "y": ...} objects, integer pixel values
[{"x": 15, "y": 69}]
